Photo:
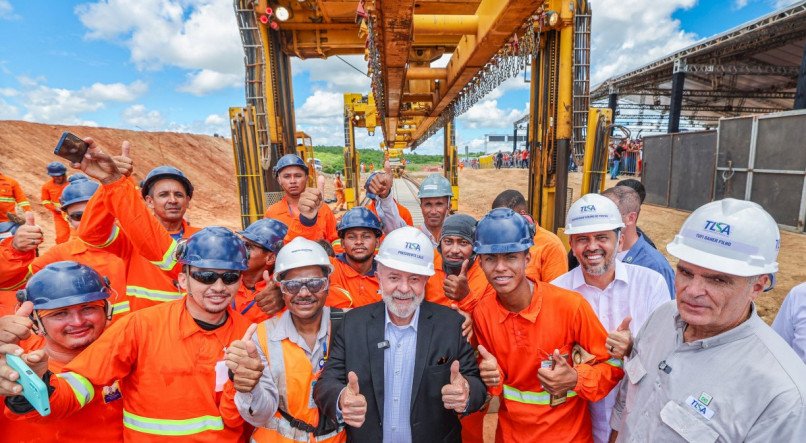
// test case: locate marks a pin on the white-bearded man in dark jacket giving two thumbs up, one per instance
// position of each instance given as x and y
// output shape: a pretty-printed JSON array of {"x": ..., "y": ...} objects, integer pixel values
[{"x": 400, "y": 370}]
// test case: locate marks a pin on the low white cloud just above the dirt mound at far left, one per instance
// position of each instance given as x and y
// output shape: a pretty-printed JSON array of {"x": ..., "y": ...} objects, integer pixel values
[{"x": 59, "y": 105}]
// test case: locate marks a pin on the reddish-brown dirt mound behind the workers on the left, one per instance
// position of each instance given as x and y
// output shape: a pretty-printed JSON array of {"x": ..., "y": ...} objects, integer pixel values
[{"x": 26, "y": 148}]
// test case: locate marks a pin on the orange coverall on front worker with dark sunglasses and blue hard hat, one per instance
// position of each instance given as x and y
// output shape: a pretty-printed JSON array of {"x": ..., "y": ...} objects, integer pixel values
[{"x": 168, "y": 367}]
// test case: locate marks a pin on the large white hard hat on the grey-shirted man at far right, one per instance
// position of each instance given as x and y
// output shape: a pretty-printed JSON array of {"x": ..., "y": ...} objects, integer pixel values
[{"x": 736, "y": 237}]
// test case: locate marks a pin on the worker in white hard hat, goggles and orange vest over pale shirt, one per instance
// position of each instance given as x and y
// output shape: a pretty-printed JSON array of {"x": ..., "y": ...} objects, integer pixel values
[{"x": 293, "y": 348}]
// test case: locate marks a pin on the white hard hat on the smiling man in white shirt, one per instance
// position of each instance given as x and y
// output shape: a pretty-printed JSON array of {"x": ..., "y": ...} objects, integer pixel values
[{"x": 592, "y": 213}]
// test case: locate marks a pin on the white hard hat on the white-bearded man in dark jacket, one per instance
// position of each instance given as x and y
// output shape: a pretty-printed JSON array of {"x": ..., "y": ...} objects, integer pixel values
[{"x": 407, "y": 249}]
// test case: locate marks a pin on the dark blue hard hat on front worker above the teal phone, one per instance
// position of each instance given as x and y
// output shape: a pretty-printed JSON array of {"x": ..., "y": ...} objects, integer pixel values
[{"x": 64, "y": 283}]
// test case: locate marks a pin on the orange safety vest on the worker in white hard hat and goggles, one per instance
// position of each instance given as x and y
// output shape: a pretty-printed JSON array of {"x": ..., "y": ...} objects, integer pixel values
[{"x": 292, "y": 372}]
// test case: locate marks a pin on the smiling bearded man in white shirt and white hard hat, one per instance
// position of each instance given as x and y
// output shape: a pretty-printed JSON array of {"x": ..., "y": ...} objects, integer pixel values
[{"x": 622, "y": 295}]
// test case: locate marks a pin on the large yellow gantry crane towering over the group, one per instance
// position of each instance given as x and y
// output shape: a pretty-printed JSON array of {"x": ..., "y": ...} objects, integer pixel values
[{"x": 487, "y": 41}]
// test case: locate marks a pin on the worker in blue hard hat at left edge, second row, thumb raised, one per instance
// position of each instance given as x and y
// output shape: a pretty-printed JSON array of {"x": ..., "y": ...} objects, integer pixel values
[{"x": 21, "y": 262}]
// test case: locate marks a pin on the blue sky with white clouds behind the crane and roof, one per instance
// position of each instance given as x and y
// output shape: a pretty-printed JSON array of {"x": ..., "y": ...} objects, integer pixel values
[{"x": 177, "y": 65}]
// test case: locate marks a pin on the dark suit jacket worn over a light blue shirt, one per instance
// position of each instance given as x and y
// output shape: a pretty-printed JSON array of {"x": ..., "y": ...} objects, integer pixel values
[{"x": 439, "y": 340}]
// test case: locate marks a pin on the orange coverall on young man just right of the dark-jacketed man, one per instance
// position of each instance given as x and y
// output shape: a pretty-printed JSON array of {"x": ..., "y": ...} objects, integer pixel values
[{"x": 555, "y": 319}]
